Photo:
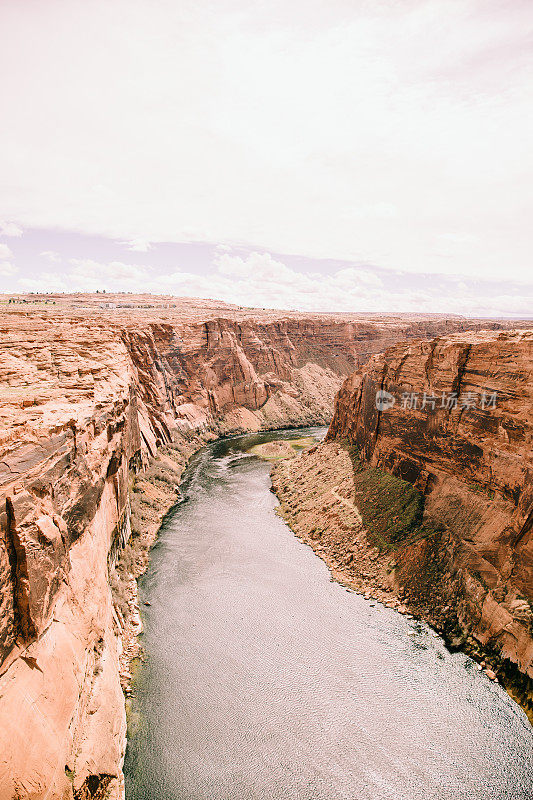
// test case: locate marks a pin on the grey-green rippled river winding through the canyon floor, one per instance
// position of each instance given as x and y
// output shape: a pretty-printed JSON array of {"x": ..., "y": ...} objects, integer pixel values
[{"x": 265, "y": 680}]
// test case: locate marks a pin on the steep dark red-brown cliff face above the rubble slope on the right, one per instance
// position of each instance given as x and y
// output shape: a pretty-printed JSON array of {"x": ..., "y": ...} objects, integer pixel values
[{"x": 461, "y": 432}]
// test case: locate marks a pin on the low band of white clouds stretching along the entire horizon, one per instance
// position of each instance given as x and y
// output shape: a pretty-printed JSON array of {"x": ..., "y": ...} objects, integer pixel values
[{"x": 260, "y": 279}]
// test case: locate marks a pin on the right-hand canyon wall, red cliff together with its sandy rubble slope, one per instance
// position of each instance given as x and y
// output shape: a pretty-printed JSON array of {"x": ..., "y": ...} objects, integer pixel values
[{"x": 422, "y": 497}]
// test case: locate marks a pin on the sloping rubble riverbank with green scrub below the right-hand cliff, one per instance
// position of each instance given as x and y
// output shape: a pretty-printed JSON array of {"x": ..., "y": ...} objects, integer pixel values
[{"x": 318, "y": 500}]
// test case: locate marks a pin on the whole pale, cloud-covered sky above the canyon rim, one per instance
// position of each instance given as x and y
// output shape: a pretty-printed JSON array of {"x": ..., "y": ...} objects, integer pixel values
[{"x": 355, "y": 155}]
